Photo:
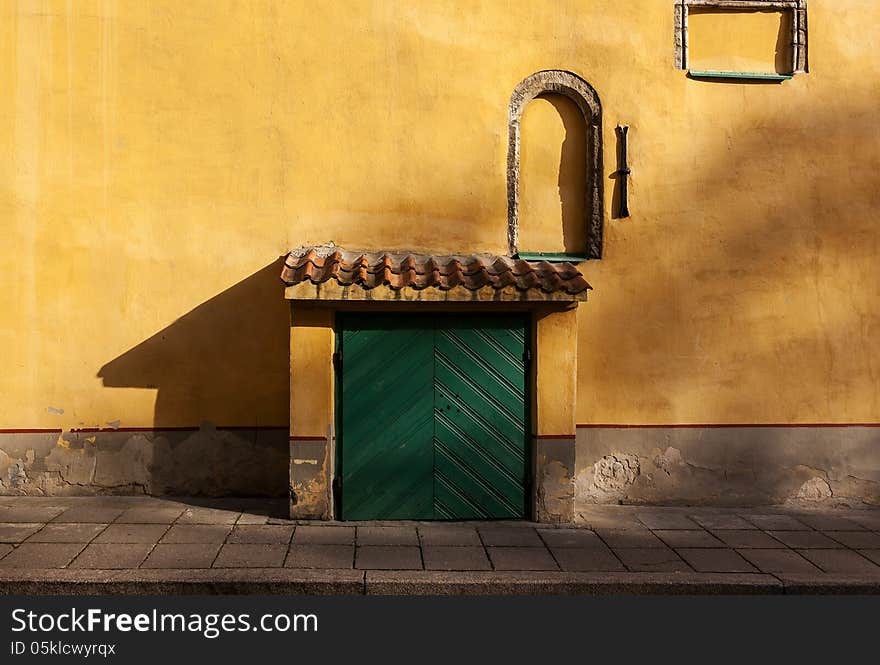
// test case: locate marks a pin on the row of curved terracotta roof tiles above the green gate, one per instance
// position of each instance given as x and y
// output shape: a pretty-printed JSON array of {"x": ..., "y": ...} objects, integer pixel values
[{"x": 421, "y": 271}]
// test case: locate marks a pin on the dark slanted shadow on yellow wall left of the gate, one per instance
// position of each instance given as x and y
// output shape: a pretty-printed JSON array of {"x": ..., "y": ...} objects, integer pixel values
[{"x": 226, "y": 361}]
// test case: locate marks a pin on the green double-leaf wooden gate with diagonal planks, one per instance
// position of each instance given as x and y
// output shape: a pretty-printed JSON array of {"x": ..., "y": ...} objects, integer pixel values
[{"x": 432, "y": 416}]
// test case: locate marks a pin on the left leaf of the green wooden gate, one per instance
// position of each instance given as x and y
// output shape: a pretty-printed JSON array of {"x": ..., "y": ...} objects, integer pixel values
[{"x": 387, "y": 418}]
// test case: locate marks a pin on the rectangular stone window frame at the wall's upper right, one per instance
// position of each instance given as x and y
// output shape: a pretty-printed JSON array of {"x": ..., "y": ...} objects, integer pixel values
[{"x": 798, "y": 9}]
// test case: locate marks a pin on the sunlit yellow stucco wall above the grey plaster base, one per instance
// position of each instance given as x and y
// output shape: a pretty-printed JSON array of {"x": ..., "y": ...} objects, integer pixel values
[{"x": 161, "y": 155}]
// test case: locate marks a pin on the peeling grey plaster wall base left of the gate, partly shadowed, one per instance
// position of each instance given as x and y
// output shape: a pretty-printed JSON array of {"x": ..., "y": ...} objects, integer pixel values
[{"x": 203, "y": 462}]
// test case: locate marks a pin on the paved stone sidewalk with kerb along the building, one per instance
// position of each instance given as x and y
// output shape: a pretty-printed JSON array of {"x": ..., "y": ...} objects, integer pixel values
[{"x": 144, "y": 545}]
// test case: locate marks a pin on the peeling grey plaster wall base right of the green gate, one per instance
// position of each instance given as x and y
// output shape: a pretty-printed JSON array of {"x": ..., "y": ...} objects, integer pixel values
[{"x": 728, "y": 465}]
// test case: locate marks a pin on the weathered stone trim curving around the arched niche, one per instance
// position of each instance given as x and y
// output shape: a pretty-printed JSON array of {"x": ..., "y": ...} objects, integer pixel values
[{"x": 584, "y": 96}]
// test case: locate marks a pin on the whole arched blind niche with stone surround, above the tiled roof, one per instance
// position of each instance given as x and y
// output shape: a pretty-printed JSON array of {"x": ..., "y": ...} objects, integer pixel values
[{"x": 566, "y": 100}]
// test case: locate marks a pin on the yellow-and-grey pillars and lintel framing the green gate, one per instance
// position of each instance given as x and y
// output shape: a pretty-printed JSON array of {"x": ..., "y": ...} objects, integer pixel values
[{"x": 553, "y": 386}]
